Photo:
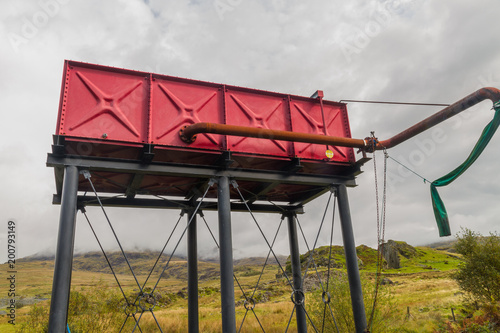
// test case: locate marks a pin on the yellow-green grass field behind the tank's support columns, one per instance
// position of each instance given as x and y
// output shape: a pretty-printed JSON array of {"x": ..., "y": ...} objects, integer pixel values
[{"x": 420, "y": 294}]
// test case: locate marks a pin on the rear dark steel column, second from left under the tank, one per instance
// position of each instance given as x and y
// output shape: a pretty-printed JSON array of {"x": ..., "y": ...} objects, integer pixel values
[{"x": 192, "y": 240}]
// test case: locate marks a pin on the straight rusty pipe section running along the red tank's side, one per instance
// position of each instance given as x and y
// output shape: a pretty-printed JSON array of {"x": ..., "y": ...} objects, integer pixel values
[{"x": 188, "y": 134}]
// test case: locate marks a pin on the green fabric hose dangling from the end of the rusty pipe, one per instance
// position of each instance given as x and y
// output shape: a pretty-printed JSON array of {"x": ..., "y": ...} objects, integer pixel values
[{"x": 437, "y": 204}]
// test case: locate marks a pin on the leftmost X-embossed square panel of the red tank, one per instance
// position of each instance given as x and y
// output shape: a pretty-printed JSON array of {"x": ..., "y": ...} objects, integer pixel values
[{"x": 102, "y": 105}]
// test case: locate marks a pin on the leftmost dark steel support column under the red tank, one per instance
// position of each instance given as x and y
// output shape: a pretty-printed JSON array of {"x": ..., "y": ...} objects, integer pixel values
[{"x": 61, "y": 284}]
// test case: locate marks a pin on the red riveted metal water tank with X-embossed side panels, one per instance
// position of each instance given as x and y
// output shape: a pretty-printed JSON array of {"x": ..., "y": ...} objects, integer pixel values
[{"x": 115, "y": 112}]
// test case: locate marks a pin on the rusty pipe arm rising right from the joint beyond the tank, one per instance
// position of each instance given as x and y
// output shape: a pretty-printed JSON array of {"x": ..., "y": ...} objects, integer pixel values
[{"x": 480, "y": 95}]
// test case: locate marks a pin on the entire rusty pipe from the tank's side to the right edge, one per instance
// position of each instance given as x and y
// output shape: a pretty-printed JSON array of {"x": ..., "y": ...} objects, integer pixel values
[{"x": 188, "y": 133}]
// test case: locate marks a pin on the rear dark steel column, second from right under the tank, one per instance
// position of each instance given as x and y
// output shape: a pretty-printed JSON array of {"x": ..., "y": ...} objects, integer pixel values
[{"x": 298, "y": 295}]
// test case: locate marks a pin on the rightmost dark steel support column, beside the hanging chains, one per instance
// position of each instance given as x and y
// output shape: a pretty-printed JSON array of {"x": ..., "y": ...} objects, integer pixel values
[{"x": 351, "y": 258}]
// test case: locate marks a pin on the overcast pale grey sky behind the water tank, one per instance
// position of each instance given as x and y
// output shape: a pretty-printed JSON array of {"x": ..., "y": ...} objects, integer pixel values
[{"x": 393, "y": 50}]
